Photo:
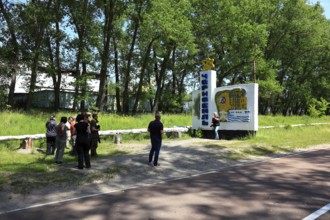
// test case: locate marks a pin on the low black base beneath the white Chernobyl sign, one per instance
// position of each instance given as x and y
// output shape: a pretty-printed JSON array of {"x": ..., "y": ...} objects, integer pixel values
[{"x": 228, "y": 134}]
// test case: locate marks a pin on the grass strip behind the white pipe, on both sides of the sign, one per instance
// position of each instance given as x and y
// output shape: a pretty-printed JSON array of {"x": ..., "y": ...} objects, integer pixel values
[{"x": 20, "y": 123}]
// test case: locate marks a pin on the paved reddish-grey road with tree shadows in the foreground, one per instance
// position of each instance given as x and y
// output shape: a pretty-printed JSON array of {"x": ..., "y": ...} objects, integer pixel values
[{"x": 291, "y": 187}]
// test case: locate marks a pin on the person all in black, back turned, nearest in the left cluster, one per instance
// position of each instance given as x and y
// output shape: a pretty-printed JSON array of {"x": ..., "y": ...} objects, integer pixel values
[{"x": 82, "y": 130}]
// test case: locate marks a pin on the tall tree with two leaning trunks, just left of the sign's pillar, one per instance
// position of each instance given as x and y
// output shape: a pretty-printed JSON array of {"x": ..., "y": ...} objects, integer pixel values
[{"x": 165, "y": 28}]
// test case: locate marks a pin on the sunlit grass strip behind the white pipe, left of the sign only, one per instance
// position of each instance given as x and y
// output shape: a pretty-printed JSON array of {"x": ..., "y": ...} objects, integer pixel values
[{"x": 20, "y": 123}]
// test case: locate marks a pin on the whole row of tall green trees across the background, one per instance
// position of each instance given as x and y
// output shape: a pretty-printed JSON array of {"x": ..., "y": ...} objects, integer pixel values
[{"x": 151, "y": 50}]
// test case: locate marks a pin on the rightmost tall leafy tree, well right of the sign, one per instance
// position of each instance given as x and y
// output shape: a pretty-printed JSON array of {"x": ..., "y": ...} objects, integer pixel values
[{"x": 296, "y": 35}]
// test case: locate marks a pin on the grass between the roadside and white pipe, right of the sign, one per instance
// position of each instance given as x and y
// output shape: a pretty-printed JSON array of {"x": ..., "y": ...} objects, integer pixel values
[{"x": 277, "y": 141}]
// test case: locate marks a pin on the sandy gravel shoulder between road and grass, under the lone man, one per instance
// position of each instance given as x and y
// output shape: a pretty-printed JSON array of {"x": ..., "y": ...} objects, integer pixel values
[{"x": 178, "y": 159}]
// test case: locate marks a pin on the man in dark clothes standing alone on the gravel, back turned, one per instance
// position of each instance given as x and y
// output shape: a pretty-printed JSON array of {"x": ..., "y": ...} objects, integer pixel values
[{"x": 156, "y": 130}]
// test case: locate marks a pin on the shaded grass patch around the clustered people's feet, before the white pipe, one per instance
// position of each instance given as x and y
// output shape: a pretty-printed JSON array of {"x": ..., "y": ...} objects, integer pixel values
[{"x": 22, "y": 172}]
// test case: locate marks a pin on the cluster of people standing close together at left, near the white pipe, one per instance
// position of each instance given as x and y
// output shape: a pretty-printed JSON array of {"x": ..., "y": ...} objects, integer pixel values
[{"x": 82, "y": 132}]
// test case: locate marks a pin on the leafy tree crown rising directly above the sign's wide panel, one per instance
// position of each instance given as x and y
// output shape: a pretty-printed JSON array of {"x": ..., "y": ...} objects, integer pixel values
[{"x": 232, "y": 33}]
